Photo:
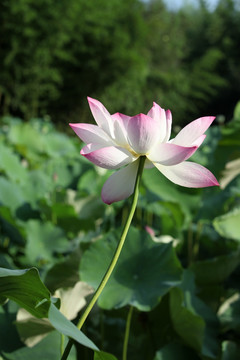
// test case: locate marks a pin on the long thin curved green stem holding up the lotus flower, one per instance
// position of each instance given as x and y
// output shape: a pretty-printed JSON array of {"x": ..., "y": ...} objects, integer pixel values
[{"x": 115, "y": 256}]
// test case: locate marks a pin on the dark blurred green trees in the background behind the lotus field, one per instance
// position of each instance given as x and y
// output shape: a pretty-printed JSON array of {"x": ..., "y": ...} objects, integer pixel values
[{"x": 124, "y": 52}]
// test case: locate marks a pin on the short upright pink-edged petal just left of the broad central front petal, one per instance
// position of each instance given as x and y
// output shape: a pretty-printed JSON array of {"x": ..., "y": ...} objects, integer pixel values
[{"x": 120, "y": 122}]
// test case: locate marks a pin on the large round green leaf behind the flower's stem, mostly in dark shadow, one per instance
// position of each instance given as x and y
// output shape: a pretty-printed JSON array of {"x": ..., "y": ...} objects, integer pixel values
[{"x": 145, "y": 270}]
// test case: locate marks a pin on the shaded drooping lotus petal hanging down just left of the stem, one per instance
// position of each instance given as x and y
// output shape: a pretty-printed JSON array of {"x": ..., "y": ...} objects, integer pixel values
[{"x": 120, "y": 185}]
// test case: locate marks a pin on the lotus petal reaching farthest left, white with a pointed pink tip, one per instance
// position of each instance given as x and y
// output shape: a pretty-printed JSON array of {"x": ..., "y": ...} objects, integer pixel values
[{"x": 89, "y": 133}]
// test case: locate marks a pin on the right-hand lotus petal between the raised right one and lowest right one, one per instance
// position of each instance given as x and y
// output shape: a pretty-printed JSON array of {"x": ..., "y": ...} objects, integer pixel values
[{"x": 169, "y": 154}]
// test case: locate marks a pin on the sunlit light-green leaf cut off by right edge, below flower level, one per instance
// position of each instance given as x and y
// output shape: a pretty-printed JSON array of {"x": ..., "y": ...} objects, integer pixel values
[{"x": 227, "y": 225}]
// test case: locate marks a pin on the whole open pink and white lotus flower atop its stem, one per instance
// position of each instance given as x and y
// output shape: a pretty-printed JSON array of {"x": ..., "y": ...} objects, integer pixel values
[{"x": 118, "y": 141}]
